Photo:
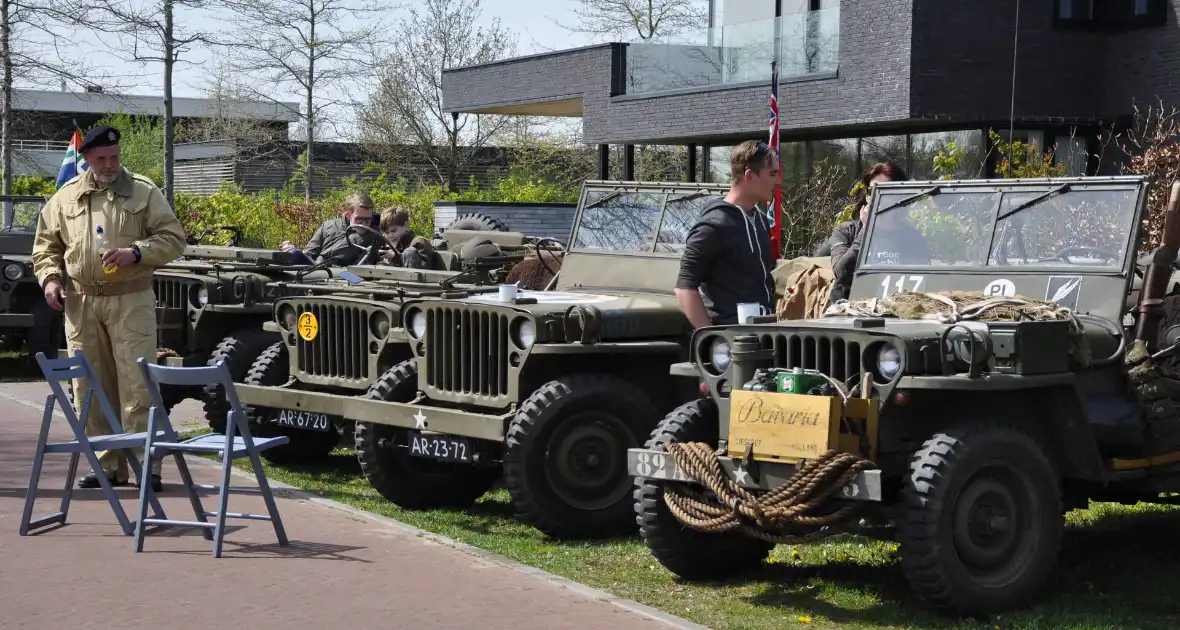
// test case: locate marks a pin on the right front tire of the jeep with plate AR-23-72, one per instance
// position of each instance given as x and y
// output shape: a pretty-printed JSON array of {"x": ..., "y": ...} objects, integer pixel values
[{"x": 566, "y": 456}]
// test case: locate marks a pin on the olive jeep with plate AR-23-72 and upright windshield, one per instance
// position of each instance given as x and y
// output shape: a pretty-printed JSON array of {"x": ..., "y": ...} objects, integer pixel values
[{"x": 548, "y": 389}]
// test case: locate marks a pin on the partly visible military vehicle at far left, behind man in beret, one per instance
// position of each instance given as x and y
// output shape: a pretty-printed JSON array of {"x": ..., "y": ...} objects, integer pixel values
[{"x": 27, "y": 319}]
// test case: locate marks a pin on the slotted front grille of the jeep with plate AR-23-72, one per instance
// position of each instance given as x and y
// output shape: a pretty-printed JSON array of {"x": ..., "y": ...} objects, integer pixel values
[{"x": 468, "y": 352}]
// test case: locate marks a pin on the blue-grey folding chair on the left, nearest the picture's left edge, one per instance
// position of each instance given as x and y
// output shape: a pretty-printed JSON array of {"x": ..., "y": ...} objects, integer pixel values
[{"x": 58, "y": 371}]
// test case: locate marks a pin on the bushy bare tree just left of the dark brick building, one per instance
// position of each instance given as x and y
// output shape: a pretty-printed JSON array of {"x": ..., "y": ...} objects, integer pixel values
[{"x": 407, "y": 106}]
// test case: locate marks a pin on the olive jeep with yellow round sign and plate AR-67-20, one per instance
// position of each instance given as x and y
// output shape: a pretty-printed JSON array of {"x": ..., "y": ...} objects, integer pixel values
[{"x": 337, "y": 337}]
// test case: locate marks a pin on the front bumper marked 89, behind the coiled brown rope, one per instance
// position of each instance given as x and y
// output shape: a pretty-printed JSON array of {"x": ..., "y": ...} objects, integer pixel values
[{"x": 647, "y": 464}]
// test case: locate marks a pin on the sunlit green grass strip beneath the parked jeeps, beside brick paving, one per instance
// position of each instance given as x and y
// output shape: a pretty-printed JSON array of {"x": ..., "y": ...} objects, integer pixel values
[{"x": 1117, "y": 569}]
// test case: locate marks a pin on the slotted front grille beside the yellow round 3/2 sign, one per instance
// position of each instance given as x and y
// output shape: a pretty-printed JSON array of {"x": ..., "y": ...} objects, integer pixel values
[{"x": 340, "y": 350}]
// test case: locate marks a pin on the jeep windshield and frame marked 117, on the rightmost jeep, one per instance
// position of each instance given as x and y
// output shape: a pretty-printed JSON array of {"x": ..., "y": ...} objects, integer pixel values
[{"x": 984, "y": 229}]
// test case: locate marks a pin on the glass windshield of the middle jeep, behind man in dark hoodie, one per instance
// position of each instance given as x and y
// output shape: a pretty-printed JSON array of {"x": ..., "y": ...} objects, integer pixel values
[{"x": 639, "y": 221}]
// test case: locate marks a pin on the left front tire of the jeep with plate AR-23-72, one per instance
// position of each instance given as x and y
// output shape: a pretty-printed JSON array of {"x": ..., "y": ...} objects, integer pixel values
[{"x": 410, "y": 482}]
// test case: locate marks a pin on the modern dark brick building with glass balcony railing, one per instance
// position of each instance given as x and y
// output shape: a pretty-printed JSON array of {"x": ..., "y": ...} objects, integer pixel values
[{"x": 861, "y": 81}]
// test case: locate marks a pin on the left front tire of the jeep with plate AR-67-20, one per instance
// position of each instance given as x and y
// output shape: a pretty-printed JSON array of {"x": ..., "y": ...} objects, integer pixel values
[{"x": 272, "y": 370}]
